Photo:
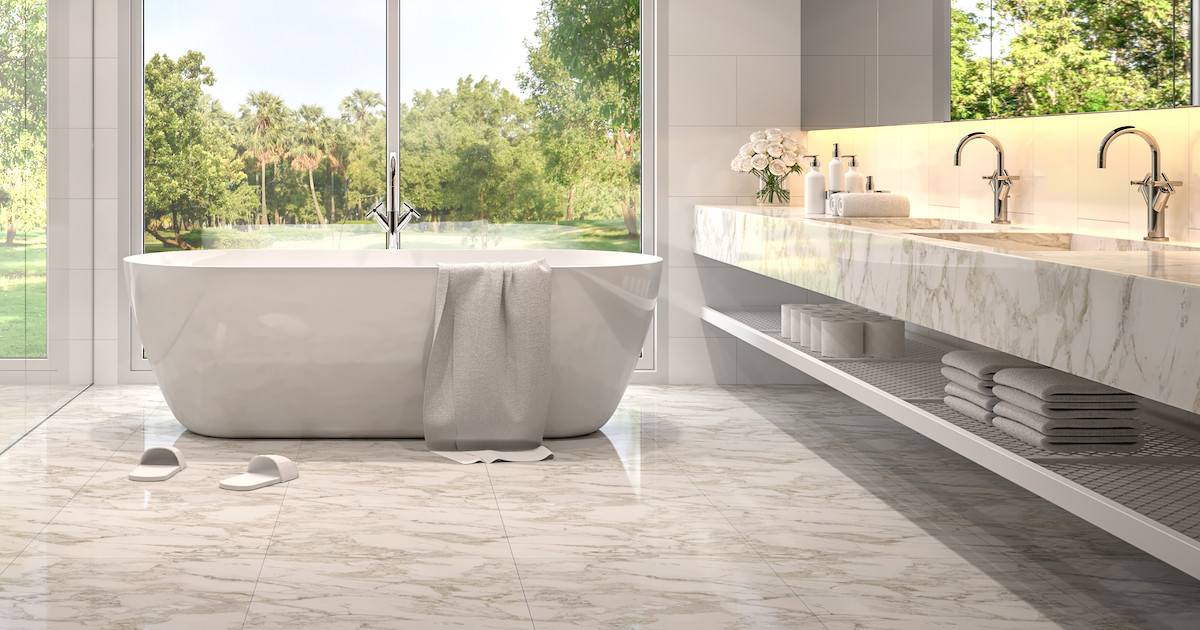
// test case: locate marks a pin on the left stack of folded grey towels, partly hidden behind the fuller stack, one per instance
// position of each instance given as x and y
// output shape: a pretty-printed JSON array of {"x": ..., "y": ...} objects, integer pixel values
[{"x": 971, "y": 375}]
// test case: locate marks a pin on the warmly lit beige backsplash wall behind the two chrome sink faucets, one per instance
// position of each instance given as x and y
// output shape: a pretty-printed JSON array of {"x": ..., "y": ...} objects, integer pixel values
[{"x": 1055, "y": 157}]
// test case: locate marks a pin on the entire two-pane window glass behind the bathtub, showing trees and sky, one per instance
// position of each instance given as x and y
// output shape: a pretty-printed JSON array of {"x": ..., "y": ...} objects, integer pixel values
[{"x": 519, "y": 123}]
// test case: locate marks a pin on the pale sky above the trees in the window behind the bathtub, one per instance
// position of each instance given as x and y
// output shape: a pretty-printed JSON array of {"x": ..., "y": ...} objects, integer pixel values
[{"x": 310, "y": 55}]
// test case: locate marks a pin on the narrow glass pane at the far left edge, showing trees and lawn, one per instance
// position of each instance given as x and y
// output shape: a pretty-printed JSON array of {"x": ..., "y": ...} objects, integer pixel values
[{"x": 23, "y": 191}]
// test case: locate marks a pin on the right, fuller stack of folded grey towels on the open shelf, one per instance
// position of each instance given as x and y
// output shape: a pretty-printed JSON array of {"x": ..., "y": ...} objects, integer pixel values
[{"x": 1065, "y": 413}]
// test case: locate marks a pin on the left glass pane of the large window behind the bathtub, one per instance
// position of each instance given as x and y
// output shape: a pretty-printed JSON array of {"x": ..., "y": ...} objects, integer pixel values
[{"x": 259, "y": 133}]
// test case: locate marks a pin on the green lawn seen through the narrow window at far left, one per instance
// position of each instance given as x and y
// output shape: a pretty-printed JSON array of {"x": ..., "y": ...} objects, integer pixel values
[{"x": 23, "y": 297}]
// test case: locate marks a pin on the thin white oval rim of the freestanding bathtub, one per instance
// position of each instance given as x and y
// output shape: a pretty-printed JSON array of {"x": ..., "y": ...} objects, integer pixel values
[{"x": 621, "y": 260}]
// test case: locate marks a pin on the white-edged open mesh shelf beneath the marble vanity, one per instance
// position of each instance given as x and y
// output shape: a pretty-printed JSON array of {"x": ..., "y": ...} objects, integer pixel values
[{"x": 1150, "y": 499}]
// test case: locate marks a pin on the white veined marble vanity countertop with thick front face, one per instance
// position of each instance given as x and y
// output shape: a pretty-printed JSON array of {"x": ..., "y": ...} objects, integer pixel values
[{"x": 1124, "y": 319}]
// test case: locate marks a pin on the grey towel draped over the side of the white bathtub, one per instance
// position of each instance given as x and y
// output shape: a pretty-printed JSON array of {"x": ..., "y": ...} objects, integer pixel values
[{"x": 488, "y": 382}]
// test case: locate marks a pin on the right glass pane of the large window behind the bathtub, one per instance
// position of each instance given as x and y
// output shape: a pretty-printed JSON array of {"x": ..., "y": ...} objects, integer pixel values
[{"x": 521, "y": 124}]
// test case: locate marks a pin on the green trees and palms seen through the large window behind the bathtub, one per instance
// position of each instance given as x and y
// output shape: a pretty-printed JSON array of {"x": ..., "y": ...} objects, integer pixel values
[{"x": 569, "y": 154}]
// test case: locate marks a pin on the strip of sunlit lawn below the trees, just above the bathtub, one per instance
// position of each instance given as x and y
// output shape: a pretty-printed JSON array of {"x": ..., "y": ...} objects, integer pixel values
[{"x": 607, "y": 235}]
